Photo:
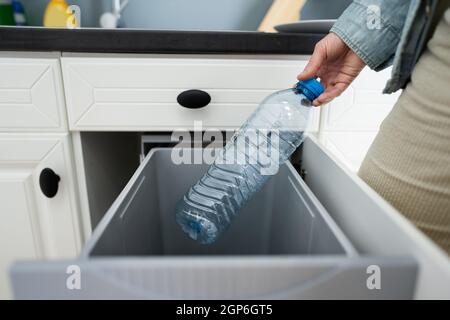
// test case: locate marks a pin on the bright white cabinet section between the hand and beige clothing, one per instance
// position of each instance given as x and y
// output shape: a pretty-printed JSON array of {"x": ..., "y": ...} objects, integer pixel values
[{"x": 349, "y": 123}]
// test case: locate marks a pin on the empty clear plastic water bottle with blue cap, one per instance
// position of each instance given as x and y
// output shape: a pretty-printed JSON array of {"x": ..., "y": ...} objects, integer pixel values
[{"x": 266, "y": 140}]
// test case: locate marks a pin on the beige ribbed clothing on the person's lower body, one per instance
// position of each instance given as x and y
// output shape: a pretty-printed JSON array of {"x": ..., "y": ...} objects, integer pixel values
[{"x": 409, "y": 162}]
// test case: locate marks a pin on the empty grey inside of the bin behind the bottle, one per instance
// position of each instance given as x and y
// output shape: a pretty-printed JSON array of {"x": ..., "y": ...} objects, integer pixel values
[{"x": 281, "y": 219}]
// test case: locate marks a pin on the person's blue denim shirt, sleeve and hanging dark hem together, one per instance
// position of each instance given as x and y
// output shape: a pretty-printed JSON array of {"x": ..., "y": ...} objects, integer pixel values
[{"x": 387, "y": 32}]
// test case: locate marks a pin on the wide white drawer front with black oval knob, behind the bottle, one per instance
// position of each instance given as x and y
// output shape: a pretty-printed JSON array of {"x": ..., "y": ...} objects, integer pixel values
[{"x": 141, "y": 93}]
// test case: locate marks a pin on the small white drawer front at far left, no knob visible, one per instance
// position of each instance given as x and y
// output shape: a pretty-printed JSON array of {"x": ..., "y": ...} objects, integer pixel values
[{"x": 31, "y": 95}]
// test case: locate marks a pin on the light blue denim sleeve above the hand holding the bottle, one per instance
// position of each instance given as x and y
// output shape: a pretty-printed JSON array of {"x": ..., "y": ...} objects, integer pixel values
[{"x": 374, "y": 38}]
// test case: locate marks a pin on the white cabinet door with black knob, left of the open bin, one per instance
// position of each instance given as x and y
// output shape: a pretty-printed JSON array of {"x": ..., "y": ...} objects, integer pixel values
[{"x": 33, "y": 225}]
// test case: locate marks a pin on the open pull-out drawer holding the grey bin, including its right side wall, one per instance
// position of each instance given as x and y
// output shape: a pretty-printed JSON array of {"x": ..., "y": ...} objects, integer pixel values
[{"x": 327, "y": 236}]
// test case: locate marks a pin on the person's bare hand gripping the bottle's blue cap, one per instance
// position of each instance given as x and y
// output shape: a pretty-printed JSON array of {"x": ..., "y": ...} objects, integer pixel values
[{"x": 335, "y": 64}]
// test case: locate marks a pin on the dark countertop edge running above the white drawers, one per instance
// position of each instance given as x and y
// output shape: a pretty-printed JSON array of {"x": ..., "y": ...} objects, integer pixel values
[{"x": 149, "y": 41}]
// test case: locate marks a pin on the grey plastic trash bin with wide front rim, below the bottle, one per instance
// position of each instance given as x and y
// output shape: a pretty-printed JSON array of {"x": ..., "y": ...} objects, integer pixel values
[{"x": 282, "y": 245}]
